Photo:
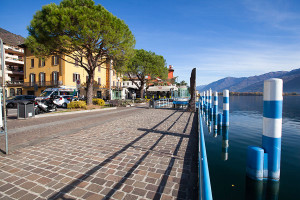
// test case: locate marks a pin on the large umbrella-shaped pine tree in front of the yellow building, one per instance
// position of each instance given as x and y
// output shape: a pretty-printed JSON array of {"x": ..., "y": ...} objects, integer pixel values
[{"x": 85, "y": 33}]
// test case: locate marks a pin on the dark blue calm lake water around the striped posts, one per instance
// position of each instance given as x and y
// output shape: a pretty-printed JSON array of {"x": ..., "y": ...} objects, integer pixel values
[{"x": 228, "y": 171}]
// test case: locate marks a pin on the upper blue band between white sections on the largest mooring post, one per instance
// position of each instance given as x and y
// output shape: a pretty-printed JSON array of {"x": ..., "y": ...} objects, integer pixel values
[{"x": 273, "y": 109}]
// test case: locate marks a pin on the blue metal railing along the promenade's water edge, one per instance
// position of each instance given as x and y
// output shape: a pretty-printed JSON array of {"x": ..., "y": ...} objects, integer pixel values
[{"x": 204, "y": 179}]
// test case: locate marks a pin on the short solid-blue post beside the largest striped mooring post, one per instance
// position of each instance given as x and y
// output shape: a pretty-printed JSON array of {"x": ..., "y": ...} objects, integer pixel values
[{"x": 255, "y": 163}]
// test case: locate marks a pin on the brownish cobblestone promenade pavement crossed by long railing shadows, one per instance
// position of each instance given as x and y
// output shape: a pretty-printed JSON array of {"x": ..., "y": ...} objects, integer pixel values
[{"x": 149, "y": 154}]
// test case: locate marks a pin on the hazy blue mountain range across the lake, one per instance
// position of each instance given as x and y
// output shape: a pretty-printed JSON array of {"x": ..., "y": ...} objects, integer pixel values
[{"x": 291, "y": 82}]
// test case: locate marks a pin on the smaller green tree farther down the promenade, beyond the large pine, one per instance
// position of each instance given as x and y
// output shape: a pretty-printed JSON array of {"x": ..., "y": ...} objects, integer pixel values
[{"x": 146, "y": 63}]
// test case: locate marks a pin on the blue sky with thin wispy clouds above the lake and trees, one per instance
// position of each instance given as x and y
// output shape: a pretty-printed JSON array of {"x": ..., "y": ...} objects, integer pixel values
[{"x": 220, "y": 38}]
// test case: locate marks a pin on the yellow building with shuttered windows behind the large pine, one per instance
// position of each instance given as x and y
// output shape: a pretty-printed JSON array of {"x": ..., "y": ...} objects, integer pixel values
[{"x": 54, "y": 72}]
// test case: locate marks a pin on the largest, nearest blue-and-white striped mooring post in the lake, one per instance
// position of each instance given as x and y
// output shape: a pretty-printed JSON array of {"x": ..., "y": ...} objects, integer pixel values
[{"x": 272, "y": 125}]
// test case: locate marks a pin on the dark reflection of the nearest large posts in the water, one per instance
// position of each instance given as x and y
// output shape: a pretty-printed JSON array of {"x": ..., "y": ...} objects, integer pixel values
[{"x": 258, "y": 190}]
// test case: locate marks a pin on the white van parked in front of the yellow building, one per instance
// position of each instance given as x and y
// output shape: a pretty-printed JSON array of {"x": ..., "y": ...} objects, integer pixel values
[{"x": 52, "y": 92}]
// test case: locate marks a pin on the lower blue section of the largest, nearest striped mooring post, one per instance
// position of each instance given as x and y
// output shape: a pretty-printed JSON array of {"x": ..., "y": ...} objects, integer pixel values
[{"x": 272, "y": 146}]
